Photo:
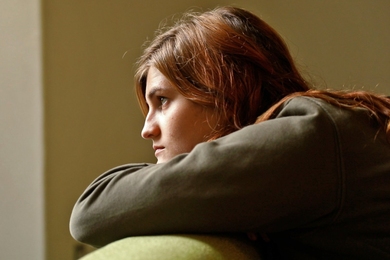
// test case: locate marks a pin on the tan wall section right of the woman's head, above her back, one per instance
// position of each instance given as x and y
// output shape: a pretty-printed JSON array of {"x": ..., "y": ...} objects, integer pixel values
[{"x": 343, "y": 43}]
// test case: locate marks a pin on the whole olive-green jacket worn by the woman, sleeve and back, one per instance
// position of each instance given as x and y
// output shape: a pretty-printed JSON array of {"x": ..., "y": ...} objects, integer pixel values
[{"x": 315, "y": 179}]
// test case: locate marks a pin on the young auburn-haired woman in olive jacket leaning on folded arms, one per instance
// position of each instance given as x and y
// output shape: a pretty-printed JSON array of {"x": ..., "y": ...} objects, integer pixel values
[{"x": 245, "y": 145}]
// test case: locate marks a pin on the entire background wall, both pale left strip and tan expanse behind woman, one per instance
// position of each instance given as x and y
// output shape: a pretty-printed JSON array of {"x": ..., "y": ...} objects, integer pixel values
[{"x": 92, "y": 121}]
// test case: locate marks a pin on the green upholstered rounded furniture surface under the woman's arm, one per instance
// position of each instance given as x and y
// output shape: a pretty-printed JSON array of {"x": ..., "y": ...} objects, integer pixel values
[{"x": 176, "y": 247}]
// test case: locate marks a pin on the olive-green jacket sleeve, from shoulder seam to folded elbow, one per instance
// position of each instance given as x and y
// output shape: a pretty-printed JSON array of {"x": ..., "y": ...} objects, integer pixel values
[{"x": 270, "y": 177}]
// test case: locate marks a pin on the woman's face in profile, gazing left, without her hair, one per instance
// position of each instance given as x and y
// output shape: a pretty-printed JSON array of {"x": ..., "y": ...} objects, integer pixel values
[{"x": 174, "y": 123}]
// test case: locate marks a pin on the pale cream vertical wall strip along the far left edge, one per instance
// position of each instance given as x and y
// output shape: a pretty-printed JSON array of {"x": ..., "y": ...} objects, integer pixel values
[{"x": 21, "y": 131}]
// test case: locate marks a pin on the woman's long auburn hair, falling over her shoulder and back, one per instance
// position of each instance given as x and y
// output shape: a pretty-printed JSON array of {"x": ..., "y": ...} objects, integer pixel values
[{"x": 232, "y": 61}]
